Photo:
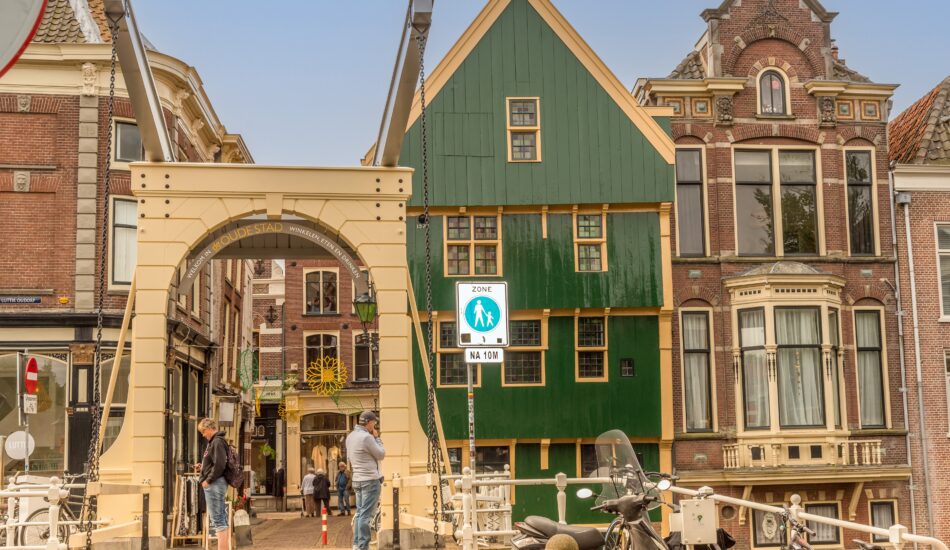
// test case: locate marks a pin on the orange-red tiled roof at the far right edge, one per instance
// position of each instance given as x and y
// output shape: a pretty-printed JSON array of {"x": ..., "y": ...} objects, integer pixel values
[{"x": 921, "y": 134}]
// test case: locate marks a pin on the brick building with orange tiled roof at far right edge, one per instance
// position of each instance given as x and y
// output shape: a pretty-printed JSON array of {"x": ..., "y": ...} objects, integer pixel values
[{"x": 920, "y": 164}]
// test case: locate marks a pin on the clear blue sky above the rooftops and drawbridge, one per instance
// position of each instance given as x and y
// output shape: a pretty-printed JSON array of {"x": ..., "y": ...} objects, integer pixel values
[{"x": 304, "y": 81}]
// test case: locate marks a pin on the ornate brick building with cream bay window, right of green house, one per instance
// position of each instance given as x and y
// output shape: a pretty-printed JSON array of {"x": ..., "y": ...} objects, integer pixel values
[{"x": 786, "y": 367}]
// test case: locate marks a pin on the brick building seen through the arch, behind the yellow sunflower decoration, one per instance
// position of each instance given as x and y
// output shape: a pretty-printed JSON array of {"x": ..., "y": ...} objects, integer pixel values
[{"x": 304, "y": 318}]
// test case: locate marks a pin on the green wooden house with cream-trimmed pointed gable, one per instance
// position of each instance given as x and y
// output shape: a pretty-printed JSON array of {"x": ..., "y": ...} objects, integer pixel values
[{"x": 545, "y": 173}]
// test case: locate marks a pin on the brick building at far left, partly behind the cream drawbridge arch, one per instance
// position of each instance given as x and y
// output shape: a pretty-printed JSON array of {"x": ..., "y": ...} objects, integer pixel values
[{"x": 54, "y": 151}]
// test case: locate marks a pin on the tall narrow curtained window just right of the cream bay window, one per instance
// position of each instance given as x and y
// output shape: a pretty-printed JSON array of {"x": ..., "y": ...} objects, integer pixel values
[{"x": 870, "y": 381}]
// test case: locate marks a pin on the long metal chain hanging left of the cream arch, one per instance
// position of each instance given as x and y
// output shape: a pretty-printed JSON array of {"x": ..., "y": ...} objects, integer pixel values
[{"x": 92, "y": 463}]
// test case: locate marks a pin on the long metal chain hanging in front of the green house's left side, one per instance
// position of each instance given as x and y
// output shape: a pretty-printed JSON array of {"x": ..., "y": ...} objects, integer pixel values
[{"x": 435, "y": 457}]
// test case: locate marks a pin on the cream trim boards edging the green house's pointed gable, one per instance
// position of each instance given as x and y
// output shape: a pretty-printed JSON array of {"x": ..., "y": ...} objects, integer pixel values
[{"x": 650, "y": 129}]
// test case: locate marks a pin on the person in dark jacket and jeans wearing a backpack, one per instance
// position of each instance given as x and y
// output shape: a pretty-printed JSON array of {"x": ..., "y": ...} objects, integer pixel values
[{"x": 213, "y": 482}]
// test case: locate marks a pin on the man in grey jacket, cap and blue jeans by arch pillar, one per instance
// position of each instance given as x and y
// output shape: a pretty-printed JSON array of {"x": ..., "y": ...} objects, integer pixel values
[{"x": 364, "y": 449}]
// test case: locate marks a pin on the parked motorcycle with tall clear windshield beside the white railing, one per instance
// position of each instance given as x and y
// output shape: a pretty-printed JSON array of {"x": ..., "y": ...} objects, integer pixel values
[{"x": 629, "y": 494}]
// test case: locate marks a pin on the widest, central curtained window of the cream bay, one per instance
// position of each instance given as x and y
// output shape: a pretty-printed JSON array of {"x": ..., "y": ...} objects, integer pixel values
[{"x": 799, "y": 367}]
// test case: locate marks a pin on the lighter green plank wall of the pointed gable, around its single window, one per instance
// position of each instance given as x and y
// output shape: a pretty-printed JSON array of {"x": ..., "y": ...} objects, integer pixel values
[{"x": 591, "y": 152}]
